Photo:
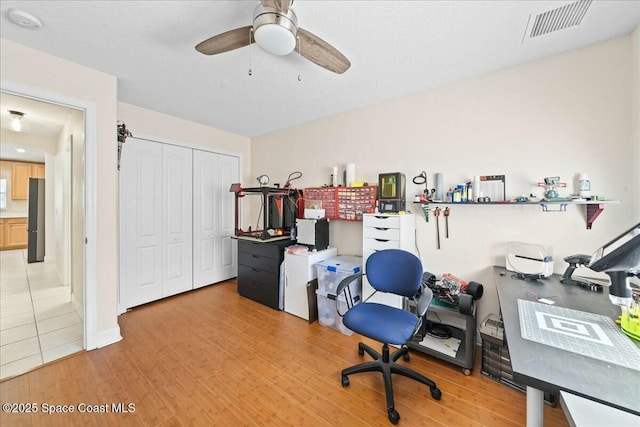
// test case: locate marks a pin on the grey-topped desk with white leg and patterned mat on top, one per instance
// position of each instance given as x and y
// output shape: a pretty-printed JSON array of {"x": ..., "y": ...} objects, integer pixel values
[{"x": 542, "y": 368}]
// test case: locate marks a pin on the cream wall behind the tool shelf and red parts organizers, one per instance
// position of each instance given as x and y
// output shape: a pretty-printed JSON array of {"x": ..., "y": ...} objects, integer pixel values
[{"x": 561, "y": 115}]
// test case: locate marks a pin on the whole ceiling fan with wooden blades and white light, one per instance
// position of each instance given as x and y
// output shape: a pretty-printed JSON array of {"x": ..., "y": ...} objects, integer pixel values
[{"x": 275, "y": 29}]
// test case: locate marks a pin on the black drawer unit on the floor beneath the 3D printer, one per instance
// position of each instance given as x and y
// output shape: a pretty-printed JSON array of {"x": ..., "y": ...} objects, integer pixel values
[{"x": 259, "y": 270}]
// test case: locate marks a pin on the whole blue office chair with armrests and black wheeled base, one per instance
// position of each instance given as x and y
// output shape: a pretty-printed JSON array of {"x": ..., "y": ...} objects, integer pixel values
[{"x": 398, "y": 272}]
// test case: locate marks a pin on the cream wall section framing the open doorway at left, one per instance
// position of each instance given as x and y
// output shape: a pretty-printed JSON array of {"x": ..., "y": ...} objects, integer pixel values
[{"x": 49, "y": 74}]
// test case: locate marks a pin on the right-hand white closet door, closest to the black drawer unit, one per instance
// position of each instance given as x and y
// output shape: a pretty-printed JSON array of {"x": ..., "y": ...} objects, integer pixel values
[{"x": 214, "y": 254}]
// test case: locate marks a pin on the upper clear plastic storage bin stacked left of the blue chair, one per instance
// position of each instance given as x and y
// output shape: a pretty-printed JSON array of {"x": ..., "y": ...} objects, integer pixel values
[{"x": 333, "y": 270}]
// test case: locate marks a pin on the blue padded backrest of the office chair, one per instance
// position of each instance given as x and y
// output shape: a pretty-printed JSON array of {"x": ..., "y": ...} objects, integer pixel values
[{"x": 394, "y": 271}]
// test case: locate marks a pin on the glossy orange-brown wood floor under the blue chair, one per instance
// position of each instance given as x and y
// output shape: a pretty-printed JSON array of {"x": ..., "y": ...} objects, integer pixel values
[{"x": 211, "y": 357}]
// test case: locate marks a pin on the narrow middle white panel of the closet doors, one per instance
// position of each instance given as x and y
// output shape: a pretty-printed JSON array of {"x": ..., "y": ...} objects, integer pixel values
[{"x": 177, "y": 220}]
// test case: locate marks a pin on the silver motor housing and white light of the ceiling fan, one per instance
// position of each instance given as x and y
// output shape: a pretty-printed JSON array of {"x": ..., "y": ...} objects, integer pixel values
[{"x": 275, "y": 32}]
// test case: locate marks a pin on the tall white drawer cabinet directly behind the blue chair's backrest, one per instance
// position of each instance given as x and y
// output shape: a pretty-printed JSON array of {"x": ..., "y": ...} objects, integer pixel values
[{"x": 386, "y": 231}]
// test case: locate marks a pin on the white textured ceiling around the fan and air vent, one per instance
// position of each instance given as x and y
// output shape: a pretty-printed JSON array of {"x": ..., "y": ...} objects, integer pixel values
[{"x": 395, "y": 47}]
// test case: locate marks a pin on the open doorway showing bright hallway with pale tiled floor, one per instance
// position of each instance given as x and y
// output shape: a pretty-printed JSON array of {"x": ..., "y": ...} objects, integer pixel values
[{"x": 44, "y": 310}]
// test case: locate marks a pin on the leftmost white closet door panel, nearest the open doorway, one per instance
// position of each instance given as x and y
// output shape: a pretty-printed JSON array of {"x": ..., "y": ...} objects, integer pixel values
[{"x": 141, "y": 186}]
